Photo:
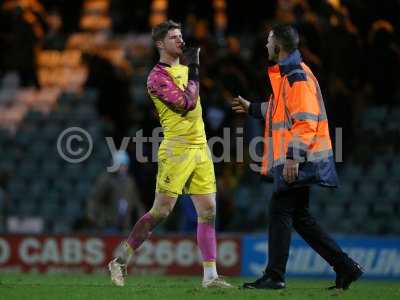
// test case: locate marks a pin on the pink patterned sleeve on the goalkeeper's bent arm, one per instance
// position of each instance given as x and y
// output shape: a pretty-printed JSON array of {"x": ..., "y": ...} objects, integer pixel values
[{"x": 161, "y": 85}]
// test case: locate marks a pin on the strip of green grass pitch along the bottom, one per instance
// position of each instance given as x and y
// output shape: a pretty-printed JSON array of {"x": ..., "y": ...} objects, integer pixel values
[{"x": 60, "y": 287}]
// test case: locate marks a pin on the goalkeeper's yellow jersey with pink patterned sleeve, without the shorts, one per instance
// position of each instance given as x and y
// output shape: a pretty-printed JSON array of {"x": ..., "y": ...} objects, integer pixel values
[{"x": 178, "y": 104}]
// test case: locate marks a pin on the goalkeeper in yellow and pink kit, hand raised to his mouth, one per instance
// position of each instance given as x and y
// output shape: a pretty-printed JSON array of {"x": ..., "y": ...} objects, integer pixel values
[{"x": 184, "y": 160}]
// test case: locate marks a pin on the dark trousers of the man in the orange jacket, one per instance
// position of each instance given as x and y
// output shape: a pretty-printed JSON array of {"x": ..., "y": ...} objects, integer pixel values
[{"x": 291, "y": 208}]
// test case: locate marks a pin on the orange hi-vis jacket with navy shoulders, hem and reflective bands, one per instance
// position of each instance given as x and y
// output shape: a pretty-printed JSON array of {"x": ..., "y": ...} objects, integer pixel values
[{"x": 296, "y": 125}]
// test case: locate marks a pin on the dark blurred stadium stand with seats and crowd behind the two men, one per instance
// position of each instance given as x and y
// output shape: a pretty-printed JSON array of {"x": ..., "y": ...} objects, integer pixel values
[{"x": 85, "y": 63}]
